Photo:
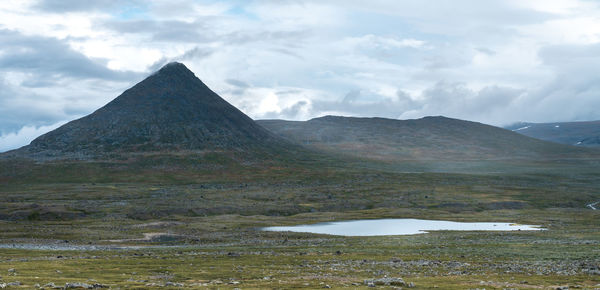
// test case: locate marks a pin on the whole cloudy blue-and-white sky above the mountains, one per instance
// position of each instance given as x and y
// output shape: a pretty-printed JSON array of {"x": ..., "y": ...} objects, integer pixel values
[{"x": 495, "y": 61}]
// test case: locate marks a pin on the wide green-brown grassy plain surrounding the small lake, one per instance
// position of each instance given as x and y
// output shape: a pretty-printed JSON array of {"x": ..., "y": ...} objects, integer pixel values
[{"x": 195, "y": 220}]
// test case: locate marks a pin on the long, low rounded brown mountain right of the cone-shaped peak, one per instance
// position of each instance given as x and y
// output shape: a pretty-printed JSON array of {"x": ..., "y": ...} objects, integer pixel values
[{"x": 429, "y": 138}]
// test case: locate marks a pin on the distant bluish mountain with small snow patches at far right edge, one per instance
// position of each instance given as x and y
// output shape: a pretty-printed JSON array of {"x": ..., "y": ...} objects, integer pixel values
[{"x": 573, "y": 133}]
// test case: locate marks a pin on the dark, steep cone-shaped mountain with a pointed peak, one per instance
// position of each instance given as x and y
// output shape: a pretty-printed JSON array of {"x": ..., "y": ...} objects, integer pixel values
[{"x": 170, "y": 110}]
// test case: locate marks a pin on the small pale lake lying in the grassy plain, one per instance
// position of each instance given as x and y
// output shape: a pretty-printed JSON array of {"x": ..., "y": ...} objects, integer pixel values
[{"x": 386, "y": 227}]
